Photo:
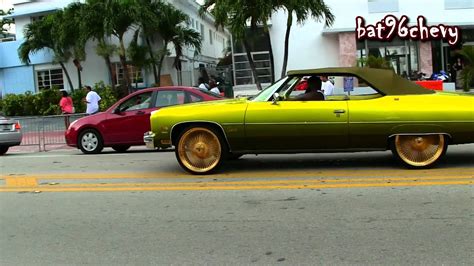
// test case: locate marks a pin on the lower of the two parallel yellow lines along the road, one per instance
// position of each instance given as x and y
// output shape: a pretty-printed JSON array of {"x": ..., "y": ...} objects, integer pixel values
[{"x": 243, "y": 187}]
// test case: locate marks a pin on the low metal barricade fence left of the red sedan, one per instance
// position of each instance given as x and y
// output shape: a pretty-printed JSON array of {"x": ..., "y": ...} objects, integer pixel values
[{"x": 42, "y": 131}]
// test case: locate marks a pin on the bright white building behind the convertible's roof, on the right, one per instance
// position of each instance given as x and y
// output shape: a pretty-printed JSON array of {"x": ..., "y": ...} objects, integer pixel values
[{"x": 312, "y": 45}]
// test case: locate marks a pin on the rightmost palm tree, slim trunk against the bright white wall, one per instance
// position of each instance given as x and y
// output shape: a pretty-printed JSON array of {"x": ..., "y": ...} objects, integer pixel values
[{"x": 302, "y": 9}]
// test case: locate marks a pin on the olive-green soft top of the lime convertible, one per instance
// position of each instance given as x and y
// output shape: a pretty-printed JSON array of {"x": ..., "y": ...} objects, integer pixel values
[{"x": 385, "y": 81}]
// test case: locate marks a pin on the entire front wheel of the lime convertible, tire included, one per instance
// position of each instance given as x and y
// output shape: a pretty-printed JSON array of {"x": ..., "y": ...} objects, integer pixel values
[{"x": 200, "y": 150}]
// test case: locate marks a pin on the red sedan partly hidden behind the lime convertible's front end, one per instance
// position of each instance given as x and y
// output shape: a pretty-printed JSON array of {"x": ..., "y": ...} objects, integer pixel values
[{"x": 124, "y": 124}]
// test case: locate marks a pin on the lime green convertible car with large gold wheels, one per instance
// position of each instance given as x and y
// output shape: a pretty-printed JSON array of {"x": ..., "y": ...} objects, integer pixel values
[{"x": 369, "y": 110}]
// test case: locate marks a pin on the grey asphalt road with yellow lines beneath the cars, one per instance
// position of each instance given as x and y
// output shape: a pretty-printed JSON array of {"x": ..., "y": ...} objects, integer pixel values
[{"x": 140, "y": 208}]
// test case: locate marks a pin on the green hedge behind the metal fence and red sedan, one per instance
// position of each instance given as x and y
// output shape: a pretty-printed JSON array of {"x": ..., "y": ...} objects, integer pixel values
[{"x": 46, "y": 102}]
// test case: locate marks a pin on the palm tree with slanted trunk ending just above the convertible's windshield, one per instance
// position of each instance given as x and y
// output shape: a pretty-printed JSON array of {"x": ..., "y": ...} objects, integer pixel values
[{"x": 235, "y": 15}]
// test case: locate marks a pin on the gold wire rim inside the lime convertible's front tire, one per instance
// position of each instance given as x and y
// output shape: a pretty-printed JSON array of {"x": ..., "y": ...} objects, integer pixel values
[{"x": 199, "y": 150}]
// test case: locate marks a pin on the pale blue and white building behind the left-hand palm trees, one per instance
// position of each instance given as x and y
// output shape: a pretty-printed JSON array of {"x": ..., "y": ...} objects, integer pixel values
[{"x": 16, "y": 77}]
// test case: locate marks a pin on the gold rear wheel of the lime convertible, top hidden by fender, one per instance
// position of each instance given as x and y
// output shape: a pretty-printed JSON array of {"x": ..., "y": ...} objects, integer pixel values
[{"x": 421, "y": 150}]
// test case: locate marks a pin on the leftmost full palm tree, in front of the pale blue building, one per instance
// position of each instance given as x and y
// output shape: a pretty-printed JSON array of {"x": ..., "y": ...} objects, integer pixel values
[{"x": 39, "y": 35}]
